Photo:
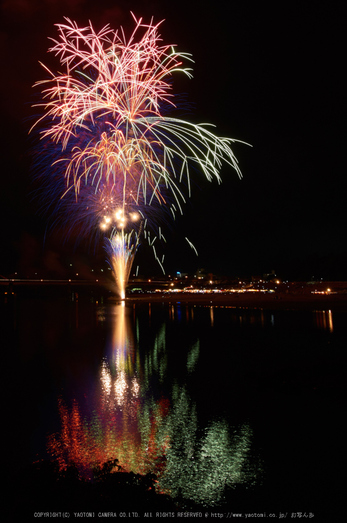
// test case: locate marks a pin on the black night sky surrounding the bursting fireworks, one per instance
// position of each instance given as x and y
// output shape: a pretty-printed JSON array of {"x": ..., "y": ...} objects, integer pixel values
[{"x": 271, "y": 75}]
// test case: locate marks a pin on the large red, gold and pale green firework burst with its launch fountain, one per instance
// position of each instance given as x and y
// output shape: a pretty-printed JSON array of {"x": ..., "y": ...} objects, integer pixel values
[{"x": 124, "y": 161}]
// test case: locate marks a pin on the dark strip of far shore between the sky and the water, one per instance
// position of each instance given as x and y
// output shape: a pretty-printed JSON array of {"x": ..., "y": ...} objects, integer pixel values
[{"x": 300, "y": 296}]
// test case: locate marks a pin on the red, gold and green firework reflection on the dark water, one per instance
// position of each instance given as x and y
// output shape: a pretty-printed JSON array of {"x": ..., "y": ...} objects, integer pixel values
[{"x": 128, "y": 418}]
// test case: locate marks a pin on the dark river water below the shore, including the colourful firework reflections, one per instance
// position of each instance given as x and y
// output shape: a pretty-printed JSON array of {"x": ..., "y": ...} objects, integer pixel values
[{"x": 193, "y": 409}]
